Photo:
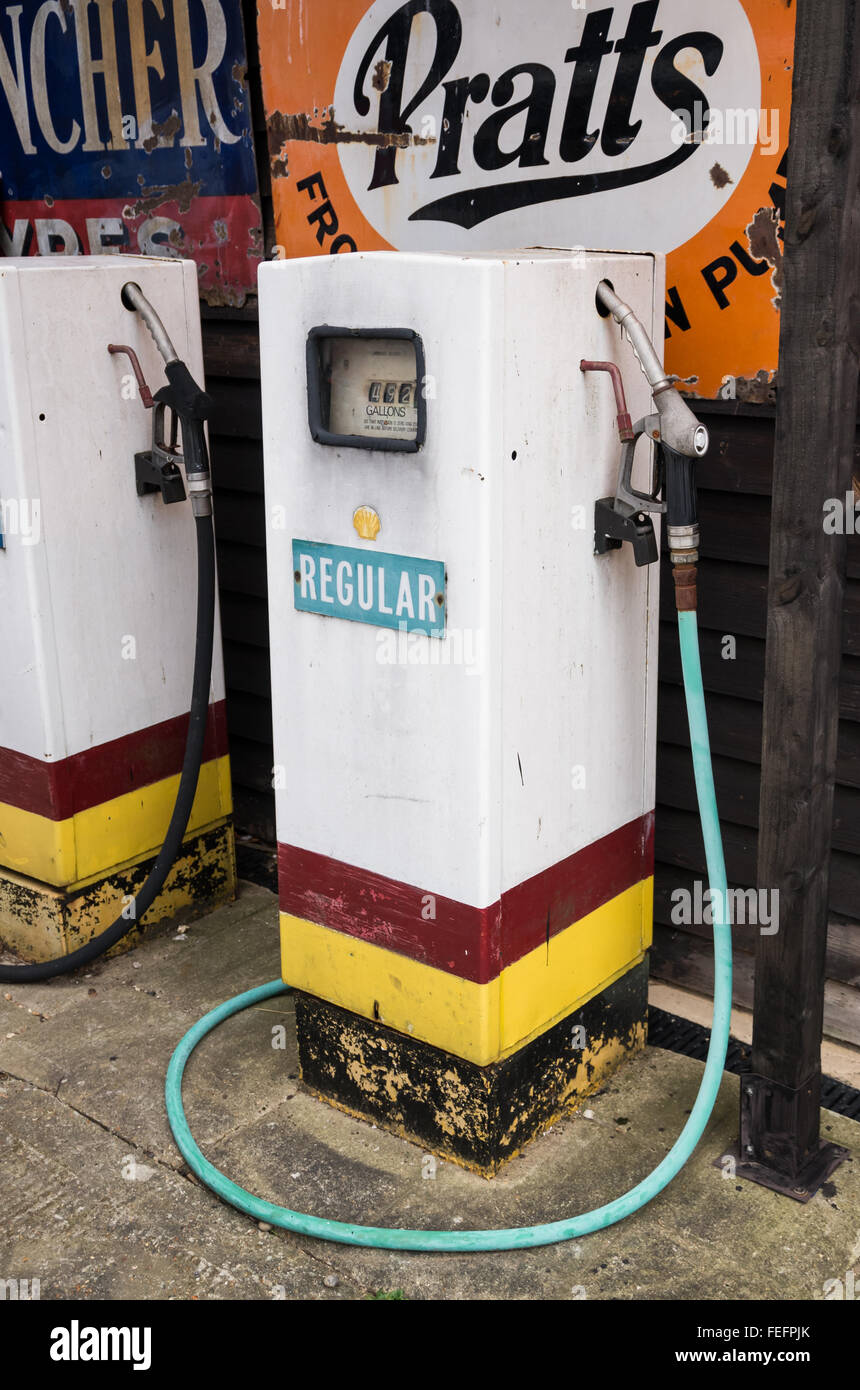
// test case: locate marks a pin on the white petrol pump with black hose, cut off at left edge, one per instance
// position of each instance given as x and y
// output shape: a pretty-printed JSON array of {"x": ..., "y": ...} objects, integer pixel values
[{"x": 99, "y": 579}]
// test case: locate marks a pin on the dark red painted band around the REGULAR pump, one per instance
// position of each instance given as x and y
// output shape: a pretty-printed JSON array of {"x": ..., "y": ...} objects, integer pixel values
[{"x": 473, "y": 943}]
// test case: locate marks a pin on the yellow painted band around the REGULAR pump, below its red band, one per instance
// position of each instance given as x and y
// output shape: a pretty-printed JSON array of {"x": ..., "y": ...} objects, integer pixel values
[{"x": 479, "y": 1022}]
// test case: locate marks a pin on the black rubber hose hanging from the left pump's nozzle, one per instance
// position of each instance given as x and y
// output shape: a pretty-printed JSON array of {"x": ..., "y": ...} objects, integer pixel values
[{"x": 188, "y": 785}]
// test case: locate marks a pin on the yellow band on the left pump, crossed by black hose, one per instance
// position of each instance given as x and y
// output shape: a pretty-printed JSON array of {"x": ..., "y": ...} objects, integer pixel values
[{"x": 94, "y": 843}]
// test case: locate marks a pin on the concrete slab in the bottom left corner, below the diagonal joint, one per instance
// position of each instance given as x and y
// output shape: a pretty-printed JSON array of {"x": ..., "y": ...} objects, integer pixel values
[{"x": 92, "y": 1218}]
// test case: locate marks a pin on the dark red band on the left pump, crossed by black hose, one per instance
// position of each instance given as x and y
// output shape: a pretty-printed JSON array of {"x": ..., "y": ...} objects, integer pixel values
[{"x": 98, "y": 775}]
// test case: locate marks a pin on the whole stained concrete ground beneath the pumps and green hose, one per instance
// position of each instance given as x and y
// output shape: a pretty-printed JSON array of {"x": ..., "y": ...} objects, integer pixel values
[{"x": 99, "y": 1204}]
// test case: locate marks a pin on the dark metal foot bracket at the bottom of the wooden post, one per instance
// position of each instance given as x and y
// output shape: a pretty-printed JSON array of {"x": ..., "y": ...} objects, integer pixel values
[{"x": 780, "y": 1146}]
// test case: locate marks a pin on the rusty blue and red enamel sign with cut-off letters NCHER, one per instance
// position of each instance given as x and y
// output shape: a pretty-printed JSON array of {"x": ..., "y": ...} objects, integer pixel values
[{"x": 126, "y": 127}]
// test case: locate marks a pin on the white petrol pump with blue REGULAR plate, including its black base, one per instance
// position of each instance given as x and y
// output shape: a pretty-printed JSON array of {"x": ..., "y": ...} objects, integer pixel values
[{"x": 463, "y": 693}]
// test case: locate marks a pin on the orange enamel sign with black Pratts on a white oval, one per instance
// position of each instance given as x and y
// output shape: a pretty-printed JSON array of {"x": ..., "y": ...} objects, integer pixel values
[{"x": 487, "y": 124}]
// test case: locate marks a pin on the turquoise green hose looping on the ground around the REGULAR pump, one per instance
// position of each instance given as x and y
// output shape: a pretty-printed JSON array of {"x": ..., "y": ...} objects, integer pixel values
[{"x": 518, "y": 1238}]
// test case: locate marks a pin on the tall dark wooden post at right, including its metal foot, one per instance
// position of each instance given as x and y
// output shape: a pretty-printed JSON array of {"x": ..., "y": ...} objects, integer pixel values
[{"x": 816, "y": 414}]
